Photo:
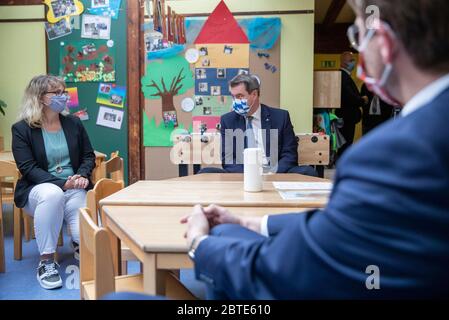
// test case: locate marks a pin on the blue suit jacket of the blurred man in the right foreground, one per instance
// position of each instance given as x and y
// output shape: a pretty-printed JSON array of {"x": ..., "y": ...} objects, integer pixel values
[{"x": 389, "y": 209}]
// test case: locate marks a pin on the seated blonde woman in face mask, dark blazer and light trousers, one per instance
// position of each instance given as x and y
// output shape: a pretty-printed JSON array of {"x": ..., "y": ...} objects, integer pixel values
[{"x": 56, "y": 159}]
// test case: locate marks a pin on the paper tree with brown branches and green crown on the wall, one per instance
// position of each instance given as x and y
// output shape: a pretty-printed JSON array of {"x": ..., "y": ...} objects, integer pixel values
[{"x": 165, "y": 79}]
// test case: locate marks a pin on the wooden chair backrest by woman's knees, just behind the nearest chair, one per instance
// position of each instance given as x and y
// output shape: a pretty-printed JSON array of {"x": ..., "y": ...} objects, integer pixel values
[{"x": 102, "y": 189}]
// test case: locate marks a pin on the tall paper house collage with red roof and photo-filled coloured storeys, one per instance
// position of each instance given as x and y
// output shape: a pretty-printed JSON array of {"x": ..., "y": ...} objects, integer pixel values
[{"x": 224, "y": 50}]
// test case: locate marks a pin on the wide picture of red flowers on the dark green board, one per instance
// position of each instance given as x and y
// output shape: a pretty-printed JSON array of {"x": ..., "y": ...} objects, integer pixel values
[{"x": 87, "y": 62}]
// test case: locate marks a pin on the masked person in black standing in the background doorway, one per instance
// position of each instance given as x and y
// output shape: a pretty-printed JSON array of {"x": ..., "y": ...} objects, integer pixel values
[{"x": 351, "y": 101}]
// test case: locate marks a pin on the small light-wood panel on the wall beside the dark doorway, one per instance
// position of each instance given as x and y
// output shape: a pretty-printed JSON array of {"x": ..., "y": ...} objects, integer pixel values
[{"x": 327, "y": 89}]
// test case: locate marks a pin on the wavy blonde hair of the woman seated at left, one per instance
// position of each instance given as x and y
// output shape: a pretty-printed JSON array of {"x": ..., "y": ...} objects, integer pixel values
[{"x": 31, "y": 107}]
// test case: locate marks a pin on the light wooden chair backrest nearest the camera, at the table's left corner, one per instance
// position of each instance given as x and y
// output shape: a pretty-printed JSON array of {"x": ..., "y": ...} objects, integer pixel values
[{"x": 95, "y": 255}]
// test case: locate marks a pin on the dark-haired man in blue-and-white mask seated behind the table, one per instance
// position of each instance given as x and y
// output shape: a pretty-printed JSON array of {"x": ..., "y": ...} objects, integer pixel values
[{"x": 255, "y": 125}]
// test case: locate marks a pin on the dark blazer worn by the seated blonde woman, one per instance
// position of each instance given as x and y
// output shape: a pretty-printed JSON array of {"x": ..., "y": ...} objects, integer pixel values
[{"x": 29, "y": 153}]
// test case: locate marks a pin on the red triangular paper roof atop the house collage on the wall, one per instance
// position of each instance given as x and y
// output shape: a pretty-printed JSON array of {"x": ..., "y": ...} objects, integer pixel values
[{"x": 221, "y": 27}]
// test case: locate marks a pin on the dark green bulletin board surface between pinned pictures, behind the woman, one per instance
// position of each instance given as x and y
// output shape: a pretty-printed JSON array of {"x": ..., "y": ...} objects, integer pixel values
[{"x": 103, "y": 139}]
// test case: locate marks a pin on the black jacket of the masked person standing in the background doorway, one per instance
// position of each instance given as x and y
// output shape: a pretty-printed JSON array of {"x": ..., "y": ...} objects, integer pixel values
[{"x": 351, "y": 101}]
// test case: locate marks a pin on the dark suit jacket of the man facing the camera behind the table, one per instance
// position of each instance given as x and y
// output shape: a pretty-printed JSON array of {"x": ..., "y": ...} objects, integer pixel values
[{"x": 271, "y": 118}]
